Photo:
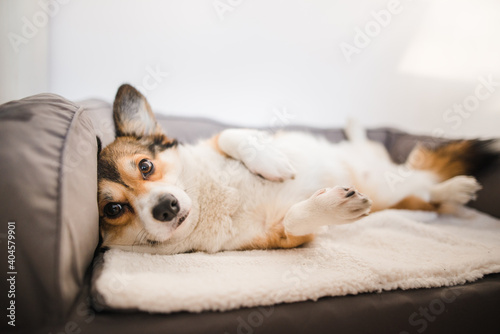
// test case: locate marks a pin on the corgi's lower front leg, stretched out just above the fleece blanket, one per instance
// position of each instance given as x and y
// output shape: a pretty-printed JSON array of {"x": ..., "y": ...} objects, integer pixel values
[{"x": 330, "y": 206}]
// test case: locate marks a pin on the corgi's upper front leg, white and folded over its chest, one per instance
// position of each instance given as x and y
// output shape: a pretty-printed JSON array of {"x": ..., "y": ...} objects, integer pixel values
[{"x": 256, "y": 150}]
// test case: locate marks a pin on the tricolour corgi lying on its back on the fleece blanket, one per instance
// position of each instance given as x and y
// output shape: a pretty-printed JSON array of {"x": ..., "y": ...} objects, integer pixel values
[{"x": 248, "y": 189}]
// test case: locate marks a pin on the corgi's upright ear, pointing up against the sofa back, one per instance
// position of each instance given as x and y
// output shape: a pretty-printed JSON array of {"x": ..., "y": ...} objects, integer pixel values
[{"x": 133, "y": 115}]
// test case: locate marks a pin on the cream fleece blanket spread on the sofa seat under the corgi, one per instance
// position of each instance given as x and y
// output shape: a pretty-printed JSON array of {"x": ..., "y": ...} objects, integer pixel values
[{"x": 384, "y": 251}]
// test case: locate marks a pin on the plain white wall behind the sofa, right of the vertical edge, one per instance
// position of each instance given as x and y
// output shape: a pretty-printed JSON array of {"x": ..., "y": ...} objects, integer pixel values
[{"x": 245, "y": 61}]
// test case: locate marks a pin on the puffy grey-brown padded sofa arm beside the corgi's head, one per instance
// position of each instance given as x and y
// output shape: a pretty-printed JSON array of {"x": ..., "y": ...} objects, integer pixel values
[{"x": 48, "y": 159}]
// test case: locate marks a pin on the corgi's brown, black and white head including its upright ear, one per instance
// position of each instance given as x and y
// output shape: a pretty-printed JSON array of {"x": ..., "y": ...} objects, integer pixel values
[{"x": 141, "y": 199}]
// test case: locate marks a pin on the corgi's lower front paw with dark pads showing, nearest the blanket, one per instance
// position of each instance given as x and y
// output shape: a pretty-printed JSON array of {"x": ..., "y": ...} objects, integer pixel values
[{"x": 344, "y": 204}]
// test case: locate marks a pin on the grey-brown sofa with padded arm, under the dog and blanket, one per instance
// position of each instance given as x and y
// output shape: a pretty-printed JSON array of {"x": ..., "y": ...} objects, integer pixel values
[{"x": 48, "y": 157}]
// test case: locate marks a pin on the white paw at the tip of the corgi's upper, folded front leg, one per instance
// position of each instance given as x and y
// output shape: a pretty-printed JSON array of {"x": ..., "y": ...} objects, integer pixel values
[{"x": 271, "y": 164}]
